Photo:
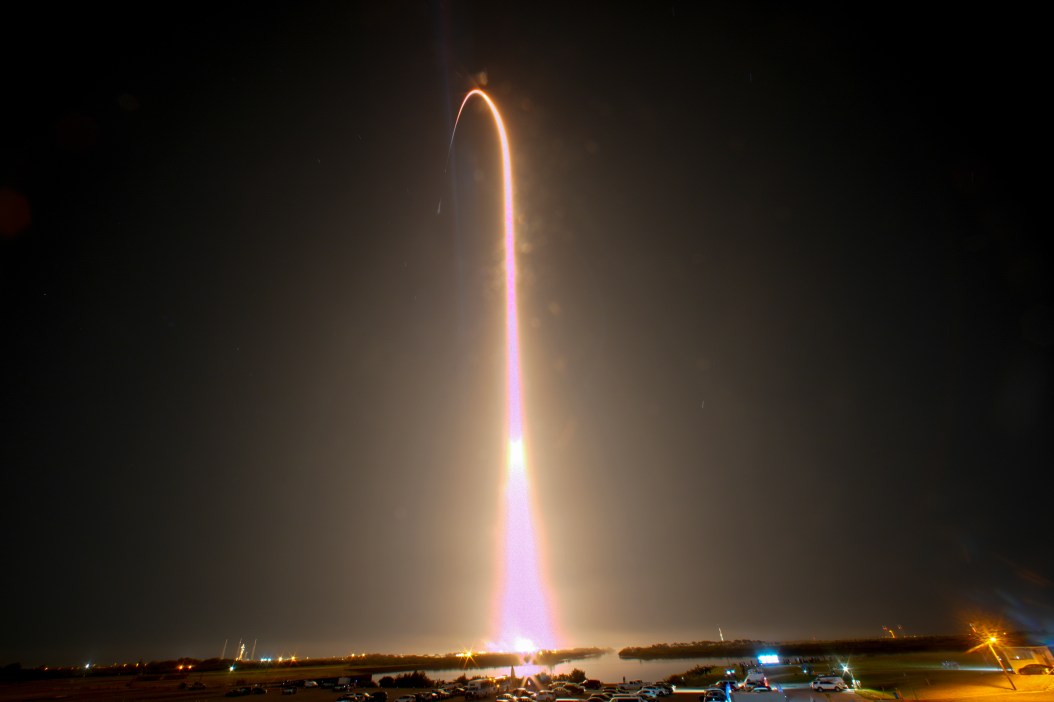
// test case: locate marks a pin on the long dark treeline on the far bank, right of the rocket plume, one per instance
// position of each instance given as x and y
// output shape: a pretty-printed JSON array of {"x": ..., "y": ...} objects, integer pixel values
[{"x": 750, "y": 649}]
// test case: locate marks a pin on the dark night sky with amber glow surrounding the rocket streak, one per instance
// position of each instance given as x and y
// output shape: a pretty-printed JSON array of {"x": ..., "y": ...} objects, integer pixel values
[{"x": 786, "y": 308}]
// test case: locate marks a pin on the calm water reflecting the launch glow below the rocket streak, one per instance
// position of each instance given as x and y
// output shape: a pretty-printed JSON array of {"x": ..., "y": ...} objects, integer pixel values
[{"x": 609, "y": 669}]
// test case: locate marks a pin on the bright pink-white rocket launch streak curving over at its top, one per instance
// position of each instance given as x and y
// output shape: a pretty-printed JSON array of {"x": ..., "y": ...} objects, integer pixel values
[{"x": 522, "y": 619}]
